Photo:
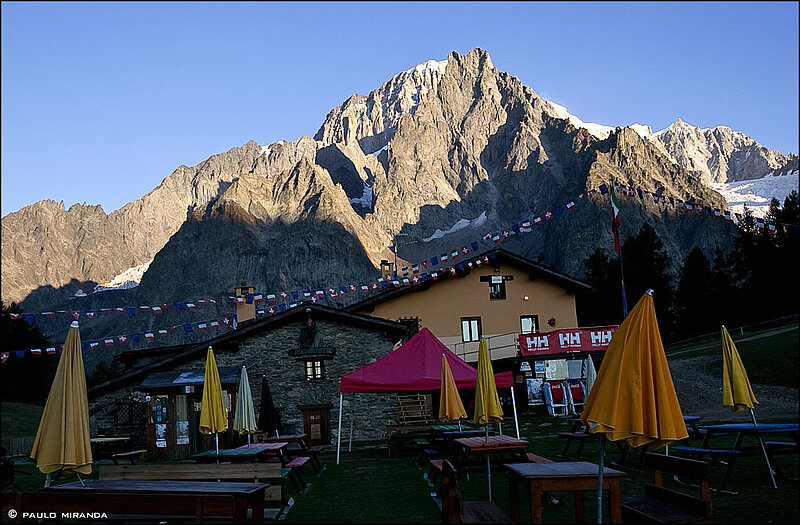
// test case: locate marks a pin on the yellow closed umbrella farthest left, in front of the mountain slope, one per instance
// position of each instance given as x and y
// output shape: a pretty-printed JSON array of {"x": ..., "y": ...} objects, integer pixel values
[{"x": 62, "y": 439}]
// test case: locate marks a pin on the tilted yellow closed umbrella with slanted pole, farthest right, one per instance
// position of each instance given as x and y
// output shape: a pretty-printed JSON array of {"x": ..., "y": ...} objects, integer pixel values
[{"x": 736, "y": 390}]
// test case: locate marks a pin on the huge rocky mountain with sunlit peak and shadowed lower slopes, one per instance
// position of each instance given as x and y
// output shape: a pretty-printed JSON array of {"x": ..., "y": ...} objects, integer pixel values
[{"x": 444, "y": 143}]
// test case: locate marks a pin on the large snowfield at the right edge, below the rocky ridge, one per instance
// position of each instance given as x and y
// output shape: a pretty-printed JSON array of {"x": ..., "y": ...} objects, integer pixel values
[{"x": 757, "y": 194}]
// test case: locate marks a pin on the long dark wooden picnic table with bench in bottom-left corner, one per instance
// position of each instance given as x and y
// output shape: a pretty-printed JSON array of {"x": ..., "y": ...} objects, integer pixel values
[{"x": 198, "y": 499}]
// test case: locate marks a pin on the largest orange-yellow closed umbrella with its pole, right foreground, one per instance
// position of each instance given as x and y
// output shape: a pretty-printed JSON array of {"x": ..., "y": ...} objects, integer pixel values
[{"x": 633, "y": 397}]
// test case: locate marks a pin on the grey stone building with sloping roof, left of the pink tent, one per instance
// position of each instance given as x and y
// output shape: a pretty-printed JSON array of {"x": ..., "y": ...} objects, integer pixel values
[{"x": 302, "y": 352}]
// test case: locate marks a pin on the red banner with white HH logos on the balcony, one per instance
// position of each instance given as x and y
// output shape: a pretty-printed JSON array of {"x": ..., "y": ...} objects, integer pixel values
[{"x": 566, "y": 341}]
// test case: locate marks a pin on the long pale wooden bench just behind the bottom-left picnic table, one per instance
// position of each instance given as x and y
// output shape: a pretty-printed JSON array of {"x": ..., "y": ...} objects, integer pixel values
[{"x": 272, "y": 473}]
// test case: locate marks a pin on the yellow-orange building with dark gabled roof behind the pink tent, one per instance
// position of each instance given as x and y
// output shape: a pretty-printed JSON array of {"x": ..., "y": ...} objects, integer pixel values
[{"x": 499, "y": 299}]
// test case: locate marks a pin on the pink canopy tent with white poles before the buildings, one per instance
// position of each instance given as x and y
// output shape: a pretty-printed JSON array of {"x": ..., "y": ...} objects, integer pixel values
[{"x": 415, "y": 366}]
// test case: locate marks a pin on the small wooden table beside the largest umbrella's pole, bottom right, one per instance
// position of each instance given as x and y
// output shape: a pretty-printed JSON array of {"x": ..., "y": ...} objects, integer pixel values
[{"x": 574, "y": 476}]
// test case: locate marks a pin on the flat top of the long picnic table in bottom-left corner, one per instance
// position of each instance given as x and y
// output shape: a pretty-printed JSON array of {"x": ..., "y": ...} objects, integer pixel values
[{"x": 161, "y": 487}]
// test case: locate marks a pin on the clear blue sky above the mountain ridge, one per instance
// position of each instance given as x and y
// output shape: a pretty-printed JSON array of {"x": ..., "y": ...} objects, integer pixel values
[{"x": 101, "y": 101}]
